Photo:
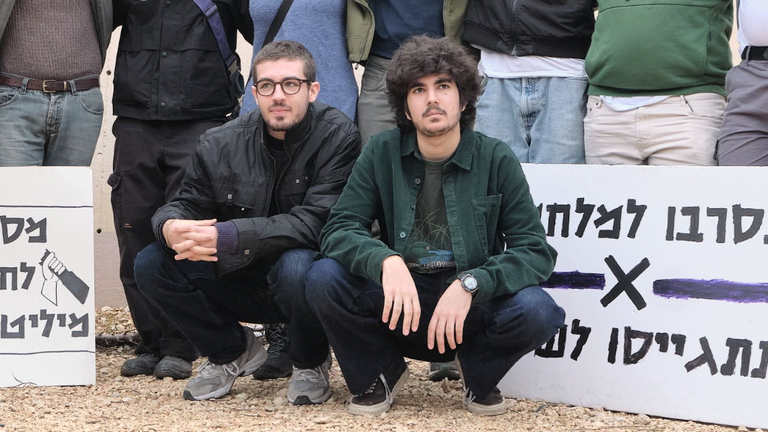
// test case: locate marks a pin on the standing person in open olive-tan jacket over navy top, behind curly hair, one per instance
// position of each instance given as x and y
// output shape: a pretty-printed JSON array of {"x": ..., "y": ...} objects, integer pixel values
[{"x": 375, "y": 29}]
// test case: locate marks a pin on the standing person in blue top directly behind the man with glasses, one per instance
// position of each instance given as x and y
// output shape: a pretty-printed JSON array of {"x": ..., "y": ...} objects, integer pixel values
[{"x": 319, "y": 26}]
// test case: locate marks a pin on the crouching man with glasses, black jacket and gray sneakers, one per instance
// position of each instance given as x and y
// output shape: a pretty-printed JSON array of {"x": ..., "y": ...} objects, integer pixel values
[{"x": 234, "y": 245}]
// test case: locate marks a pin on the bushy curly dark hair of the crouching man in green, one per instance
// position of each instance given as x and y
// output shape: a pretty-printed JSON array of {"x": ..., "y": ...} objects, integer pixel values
[{"x": 420, "y": 56}]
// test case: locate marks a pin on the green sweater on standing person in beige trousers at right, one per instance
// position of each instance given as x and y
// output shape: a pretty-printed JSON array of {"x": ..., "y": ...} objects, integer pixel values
[{"x": 669, "y": 53}]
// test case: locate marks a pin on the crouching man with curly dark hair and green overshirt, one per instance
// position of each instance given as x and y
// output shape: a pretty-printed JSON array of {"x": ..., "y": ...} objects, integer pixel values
[{"x": 455, "y": 274}]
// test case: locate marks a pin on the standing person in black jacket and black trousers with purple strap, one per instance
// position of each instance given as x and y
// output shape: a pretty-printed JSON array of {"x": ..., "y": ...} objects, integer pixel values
[{"x": 171, "y": 85}]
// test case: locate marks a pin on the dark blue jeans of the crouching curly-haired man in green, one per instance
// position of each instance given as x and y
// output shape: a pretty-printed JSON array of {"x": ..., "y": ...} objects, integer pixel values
[{"x": 497, "y": 333}]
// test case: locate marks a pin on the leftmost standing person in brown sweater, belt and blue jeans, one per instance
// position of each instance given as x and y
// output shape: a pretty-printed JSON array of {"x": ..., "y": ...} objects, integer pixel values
[{"x": 51, "y": 55}]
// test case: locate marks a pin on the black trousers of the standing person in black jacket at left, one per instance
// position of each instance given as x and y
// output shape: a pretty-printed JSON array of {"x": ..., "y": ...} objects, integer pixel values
[{"x": 149, "y": 163}]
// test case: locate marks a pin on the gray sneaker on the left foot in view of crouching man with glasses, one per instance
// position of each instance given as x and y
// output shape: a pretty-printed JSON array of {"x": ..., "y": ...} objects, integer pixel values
[{"x": 214, "y": 381}]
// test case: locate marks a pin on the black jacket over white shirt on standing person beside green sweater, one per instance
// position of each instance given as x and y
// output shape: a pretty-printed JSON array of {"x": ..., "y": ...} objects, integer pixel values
[{"x": 552, "y": 28}]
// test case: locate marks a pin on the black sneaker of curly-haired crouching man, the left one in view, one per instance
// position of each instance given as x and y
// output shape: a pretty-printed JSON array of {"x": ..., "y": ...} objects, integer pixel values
[{"x": 380, "y": 395}]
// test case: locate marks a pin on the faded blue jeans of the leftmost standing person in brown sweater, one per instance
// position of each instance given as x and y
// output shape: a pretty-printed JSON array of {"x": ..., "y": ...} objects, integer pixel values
[{"x": 56, "y": 129}]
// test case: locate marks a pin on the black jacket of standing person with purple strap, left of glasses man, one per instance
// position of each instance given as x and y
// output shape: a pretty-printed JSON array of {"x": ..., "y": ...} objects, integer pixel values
[{"x": 169, "y": 66}]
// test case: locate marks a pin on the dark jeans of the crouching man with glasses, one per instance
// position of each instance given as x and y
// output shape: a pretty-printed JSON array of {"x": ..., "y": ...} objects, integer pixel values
[{"x": 208, "y": 308}]
